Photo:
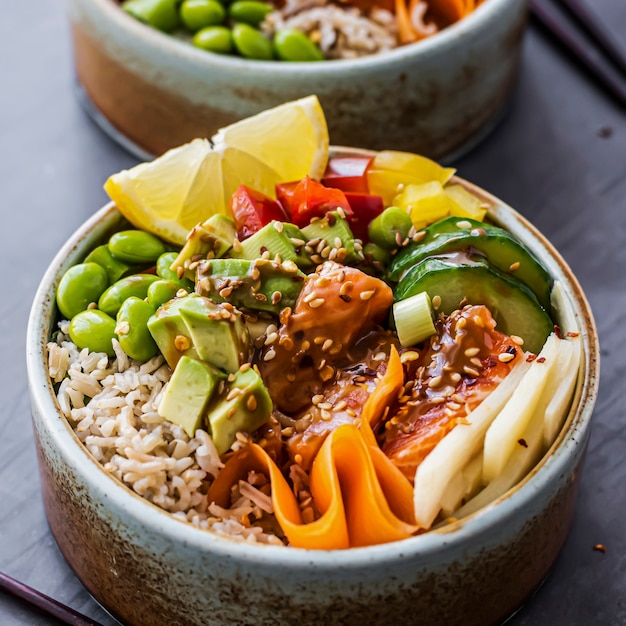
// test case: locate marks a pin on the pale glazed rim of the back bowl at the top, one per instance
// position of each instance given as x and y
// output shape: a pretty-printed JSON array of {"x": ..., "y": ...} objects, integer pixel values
[{"x": 481, "y": 18}]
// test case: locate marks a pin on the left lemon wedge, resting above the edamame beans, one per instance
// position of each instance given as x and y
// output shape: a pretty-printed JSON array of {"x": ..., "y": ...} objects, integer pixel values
[{"x": 170, "y": 195}]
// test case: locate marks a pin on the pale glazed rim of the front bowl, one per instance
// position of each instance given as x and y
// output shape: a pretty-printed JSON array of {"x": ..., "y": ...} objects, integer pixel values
[{"x": 569, "y": 443}]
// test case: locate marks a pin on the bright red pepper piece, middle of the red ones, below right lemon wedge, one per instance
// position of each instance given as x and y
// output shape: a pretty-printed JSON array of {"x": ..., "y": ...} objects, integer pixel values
[{"x": 308, "y": 199}]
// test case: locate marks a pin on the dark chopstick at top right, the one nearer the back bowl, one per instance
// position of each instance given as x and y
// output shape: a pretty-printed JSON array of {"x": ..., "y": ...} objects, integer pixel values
[{"x": 579, "y": 47}]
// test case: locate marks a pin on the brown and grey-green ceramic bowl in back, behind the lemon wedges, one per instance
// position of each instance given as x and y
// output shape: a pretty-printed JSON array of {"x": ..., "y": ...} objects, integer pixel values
[{"x": 437, "y": 97}]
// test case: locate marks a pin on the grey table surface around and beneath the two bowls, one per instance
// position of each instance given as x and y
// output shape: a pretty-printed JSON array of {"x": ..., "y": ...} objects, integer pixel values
[{"x": 559, "y": 157}]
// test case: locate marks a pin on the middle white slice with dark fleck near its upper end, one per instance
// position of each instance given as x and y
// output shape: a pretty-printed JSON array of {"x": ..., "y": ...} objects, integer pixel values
[{"x": 509, "y": 426}]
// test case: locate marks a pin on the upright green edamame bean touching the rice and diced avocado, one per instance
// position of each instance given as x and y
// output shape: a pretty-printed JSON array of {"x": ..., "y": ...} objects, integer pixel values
[{"x": 132, "y": 329}]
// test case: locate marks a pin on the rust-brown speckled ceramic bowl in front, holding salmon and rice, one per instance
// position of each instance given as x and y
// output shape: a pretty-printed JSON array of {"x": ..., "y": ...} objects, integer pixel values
[{"x": 148, "y": 568}]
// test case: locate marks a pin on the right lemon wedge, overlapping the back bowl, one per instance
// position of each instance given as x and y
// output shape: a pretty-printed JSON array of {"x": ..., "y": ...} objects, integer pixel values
[{"x": 291, "y": 139}]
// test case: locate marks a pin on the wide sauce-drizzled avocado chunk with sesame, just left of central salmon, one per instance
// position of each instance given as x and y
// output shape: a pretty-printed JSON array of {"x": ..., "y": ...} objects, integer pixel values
[{"x": 259, "y": 285}]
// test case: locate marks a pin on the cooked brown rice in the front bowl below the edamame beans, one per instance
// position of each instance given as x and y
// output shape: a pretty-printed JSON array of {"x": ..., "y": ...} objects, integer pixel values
[{"x": 111, "y": 404}]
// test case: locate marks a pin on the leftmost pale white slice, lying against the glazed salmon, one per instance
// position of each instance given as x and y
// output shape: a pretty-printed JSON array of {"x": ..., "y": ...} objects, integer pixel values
[{"x": 458, "y": 447}]
